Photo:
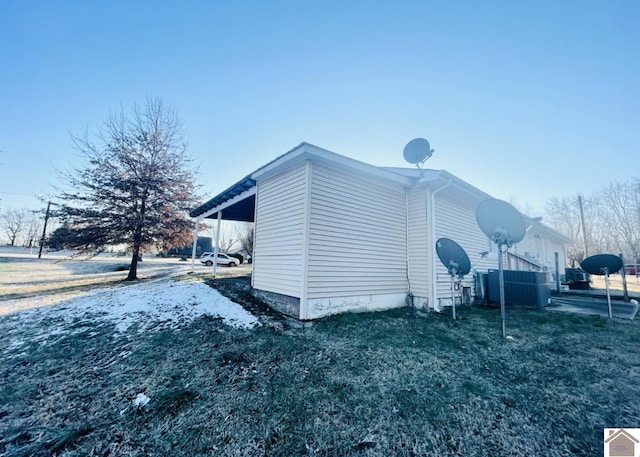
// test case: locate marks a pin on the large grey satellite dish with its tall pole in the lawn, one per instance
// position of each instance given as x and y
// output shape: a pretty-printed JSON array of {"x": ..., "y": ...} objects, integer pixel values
[{"x": 503, "y": 224}]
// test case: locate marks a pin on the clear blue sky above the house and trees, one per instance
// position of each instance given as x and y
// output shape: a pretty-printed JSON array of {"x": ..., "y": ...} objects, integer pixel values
[{"x": 524, "y": 100}]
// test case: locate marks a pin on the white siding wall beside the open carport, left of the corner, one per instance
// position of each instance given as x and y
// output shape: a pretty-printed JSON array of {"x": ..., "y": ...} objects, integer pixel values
[{"x": 279, "y": 233}]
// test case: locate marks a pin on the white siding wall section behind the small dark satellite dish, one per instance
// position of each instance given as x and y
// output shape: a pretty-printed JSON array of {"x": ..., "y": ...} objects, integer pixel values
[{"x": 456, "y": 220}]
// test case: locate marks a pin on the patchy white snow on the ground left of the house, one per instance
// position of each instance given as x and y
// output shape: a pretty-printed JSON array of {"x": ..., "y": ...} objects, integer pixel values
[{"x": 141, "y": 307}]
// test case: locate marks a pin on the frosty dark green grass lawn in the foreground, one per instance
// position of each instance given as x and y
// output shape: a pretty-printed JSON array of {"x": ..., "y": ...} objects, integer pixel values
[{"x": 393, "y": 383}]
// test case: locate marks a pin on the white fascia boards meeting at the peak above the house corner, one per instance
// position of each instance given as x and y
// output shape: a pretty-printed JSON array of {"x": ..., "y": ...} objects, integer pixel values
[{"x": 318, "y": 155}]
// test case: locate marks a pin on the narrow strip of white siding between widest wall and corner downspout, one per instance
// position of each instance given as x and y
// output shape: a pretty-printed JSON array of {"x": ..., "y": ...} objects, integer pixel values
[{"x": 419, "y": 251}]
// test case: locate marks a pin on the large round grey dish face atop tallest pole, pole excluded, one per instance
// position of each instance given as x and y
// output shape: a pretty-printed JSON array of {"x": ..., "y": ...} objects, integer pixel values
[{"x": 501, "y": 222}]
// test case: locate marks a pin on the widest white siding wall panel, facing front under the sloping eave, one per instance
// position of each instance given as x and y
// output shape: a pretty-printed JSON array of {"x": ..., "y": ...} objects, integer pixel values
[{"x": 357, "y": 236}]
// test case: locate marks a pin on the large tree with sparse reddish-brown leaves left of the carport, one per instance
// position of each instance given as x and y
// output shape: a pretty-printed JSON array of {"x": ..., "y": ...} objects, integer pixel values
[{"x": 135, "y": 186}]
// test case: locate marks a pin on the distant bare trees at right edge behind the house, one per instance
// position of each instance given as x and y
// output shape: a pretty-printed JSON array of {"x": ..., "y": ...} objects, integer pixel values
[{"x": 612, "y": 221}]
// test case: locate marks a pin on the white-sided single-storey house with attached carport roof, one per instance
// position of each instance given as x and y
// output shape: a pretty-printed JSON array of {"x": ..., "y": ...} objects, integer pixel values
[{"x": 334, "y": 234}]
